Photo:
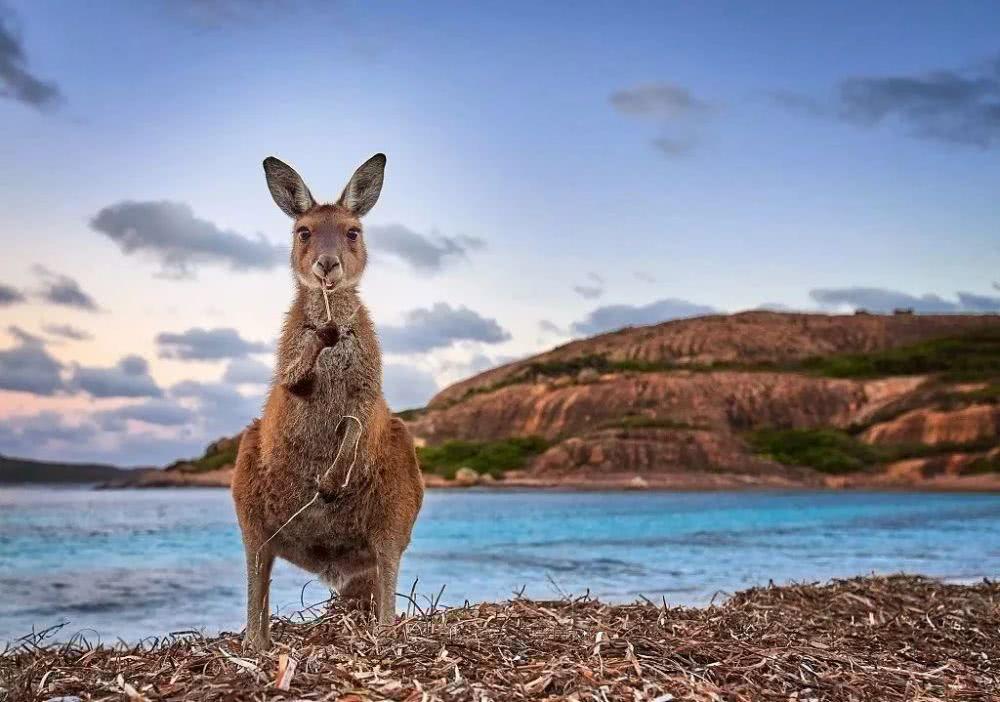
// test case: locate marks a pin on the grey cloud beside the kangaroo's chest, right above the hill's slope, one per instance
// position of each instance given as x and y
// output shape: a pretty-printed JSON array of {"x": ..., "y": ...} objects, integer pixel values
[{"x": 438, "y": 327}]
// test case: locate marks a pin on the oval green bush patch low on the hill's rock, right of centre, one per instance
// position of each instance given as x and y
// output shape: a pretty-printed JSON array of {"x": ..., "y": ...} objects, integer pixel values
[{"x": 826, "y": 450}]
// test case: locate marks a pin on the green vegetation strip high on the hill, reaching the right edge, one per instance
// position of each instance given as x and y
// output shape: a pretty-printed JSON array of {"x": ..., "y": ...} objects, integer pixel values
[{"x": 973, "y": 356}]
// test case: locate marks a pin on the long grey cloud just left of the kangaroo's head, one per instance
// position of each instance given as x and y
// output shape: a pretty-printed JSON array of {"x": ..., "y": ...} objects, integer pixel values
[{"x": 170, "y": 234}]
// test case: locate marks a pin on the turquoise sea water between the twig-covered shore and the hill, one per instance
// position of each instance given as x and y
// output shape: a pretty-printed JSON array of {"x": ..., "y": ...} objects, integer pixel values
[{"x": 135, "y": 563}]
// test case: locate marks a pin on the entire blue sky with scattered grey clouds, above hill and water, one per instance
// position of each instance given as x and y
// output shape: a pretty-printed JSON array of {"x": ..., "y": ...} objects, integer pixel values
[{"x": 555, "y": 170}]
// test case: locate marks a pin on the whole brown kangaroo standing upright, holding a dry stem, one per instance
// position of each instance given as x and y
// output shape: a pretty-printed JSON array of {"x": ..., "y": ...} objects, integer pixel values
[{"x": 327, "y": 478}]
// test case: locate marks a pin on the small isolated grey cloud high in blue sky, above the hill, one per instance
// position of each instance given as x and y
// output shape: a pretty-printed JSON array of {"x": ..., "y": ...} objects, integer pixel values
[{"x": 678, "y": 113}]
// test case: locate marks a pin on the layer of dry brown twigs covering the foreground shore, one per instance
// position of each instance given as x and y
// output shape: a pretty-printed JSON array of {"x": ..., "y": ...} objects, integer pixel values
[{"x": 896, "y": 638}]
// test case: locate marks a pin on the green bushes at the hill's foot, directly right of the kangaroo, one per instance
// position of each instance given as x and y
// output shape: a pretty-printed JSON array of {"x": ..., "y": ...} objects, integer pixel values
[{"x": 492, "y": 457}]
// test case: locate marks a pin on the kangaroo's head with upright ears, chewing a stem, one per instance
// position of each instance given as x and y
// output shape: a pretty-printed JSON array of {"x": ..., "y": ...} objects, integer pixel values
[{"x": 328, "y": 246}]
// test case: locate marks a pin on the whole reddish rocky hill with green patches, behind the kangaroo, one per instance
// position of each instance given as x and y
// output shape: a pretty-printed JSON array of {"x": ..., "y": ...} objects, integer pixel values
[{"x": 757, "y": 399}]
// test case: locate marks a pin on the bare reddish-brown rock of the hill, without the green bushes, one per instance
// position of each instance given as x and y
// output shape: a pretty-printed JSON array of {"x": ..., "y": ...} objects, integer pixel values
[{"x": 680, "y": 419}]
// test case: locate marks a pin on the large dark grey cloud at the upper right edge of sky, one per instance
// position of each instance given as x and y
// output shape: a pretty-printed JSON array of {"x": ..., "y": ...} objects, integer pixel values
[{"x": 956, "y": 106}]
